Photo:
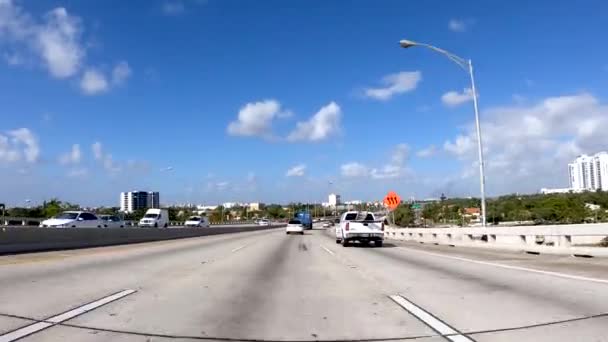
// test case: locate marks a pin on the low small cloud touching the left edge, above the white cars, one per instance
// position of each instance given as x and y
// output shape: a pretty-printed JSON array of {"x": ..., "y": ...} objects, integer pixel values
[{"x": 19, "y": 145}]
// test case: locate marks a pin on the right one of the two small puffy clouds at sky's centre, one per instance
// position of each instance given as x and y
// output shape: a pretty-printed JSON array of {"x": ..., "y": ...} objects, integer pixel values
[{"x": 320, "y": 126}]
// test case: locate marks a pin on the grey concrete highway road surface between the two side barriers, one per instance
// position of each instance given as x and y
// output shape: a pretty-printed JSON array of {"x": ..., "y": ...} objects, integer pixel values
[{"x": 269, "y": 286}]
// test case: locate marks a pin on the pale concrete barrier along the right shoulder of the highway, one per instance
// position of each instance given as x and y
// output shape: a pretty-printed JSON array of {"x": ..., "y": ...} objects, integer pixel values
[{"x": 574, "y": 239}]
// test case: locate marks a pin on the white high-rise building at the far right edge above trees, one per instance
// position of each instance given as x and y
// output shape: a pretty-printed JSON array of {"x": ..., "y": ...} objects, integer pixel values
[{"x": 589, "y": 172}]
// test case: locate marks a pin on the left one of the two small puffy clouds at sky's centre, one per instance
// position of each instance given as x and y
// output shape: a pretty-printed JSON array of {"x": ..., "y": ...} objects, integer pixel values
[{"x": 255, "y": 119}]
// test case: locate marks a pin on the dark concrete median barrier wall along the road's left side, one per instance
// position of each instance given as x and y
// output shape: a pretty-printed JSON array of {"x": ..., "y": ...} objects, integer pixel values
[{"x": 29, "y": 239}]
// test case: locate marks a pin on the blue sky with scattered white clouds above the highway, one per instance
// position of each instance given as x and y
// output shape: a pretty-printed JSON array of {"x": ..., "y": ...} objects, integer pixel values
[{"x": 151, "y": 93}]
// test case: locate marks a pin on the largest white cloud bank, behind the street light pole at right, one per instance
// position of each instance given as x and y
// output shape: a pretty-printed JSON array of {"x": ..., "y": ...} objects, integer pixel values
[{"x": 528, "y": 147}]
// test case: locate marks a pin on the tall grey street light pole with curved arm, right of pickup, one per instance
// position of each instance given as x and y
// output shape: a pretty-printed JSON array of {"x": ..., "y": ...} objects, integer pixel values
[{"x": 466, "y": 65}]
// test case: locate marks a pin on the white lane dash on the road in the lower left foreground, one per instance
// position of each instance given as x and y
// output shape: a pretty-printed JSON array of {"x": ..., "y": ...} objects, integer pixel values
[{"x": 47, "y": 323}]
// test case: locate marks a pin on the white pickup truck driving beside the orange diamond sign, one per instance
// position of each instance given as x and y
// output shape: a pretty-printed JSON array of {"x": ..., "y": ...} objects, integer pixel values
[{"x": 359, "y": 226}]
